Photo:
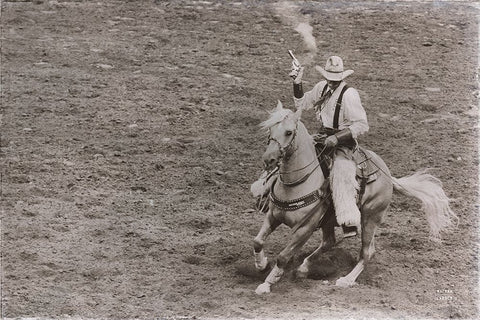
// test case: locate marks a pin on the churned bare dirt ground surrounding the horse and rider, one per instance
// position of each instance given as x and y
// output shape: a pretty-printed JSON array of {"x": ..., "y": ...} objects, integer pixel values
[{"x": 130, "y": 138}]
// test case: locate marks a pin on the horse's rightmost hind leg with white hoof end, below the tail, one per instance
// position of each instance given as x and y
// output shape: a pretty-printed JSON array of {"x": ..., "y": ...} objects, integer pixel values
[{"x": 366, "y": 252}]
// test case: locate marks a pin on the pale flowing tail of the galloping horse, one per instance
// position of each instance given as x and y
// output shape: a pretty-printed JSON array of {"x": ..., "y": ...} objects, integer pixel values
[{"x": 435, "y": 203}]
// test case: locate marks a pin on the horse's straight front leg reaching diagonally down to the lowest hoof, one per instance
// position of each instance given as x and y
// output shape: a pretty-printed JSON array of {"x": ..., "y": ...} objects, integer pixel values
[{"x": 298, "y": 239}]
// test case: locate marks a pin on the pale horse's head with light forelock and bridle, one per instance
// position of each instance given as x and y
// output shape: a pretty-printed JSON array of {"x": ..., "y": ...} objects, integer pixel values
[{"x": 283, "y": 127}]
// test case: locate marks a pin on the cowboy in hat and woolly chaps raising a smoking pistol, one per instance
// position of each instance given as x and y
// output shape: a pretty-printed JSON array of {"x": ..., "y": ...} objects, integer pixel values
[{"x": 343, "y": 119}]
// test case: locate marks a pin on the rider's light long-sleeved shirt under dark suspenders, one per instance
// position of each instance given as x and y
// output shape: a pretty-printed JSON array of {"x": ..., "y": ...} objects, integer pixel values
[{"x": 352, "y": 114}]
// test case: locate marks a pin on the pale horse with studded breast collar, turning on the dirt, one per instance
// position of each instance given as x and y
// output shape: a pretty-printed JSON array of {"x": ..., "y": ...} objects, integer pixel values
[{"x": 300, "y": 199}]
